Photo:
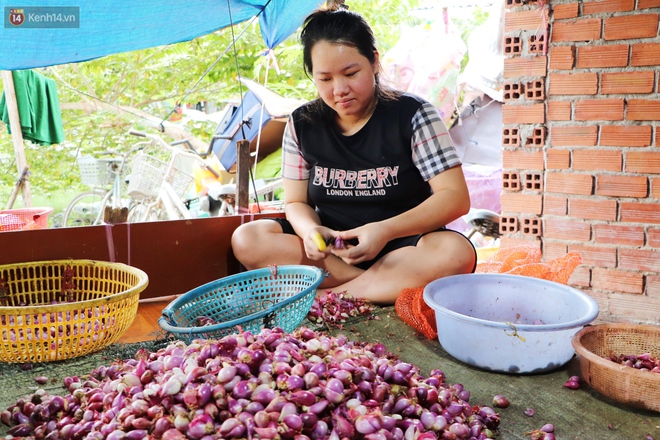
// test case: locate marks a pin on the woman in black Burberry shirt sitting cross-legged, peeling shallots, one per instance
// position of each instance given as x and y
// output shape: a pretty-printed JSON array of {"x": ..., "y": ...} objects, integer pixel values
[{"x": 373, "y": 166}]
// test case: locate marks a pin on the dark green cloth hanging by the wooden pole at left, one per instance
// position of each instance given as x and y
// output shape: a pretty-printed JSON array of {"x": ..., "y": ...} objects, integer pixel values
[{"x": 38, "y": 108}]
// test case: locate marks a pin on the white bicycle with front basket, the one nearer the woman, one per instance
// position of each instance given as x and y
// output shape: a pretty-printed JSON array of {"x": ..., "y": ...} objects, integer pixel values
[{"x": 159, "y": 186}]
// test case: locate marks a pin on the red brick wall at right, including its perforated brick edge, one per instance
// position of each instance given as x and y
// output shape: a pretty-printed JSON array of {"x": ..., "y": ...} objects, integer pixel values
[{"x": 581, "y": 169}]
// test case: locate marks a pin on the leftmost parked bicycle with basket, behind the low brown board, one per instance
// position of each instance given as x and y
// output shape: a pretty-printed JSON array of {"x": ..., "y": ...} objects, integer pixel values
[{"x": 88, "y": 208}]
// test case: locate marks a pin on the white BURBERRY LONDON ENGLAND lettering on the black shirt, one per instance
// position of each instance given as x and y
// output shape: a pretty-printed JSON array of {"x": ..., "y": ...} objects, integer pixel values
[{"x": 372, "y": 181}]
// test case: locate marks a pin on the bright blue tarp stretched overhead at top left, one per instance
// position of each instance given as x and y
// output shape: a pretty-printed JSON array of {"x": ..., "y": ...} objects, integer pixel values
[{"x": 34, "y": 35}]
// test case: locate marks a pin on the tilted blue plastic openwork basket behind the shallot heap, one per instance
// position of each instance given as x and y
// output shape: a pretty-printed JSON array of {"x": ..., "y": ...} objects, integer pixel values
[{"x": 280, "y": 296}]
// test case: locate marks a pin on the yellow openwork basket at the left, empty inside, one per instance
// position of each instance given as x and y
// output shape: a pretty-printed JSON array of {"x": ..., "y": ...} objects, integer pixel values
[{"x": 61, "y": 309}]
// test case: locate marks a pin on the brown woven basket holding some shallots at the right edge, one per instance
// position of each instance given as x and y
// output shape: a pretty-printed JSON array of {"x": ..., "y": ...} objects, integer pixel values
[{"x": 627, "y": 385}]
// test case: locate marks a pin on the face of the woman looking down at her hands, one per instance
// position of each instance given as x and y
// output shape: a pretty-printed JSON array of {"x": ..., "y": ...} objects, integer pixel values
[{"x": 344, "y": 78}]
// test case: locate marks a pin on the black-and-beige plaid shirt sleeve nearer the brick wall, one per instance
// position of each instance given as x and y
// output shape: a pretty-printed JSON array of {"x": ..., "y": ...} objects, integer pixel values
[{"x": 432, "y": 147}]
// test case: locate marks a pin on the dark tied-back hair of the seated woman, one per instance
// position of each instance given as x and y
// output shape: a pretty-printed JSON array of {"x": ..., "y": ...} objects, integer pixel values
[{"x": 338, "y": 25}]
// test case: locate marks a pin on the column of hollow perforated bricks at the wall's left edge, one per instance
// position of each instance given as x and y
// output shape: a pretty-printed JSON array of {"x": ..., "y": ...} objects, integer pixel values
[{"x": 524, "y": 123}]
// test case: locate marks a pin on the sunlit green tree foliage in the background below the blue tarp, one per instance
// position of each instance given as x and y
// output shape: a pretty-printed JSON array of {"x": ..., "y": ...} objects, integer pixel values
[{"x": 102, "y": 98}]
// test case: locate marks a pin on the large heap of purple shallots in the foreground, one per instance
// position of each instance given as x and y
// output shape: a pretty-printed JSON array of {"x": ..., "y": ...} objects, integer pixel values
[{"x": 271, "y": 385}]
